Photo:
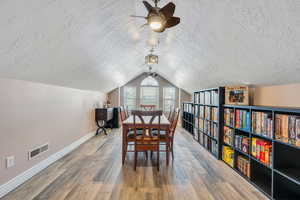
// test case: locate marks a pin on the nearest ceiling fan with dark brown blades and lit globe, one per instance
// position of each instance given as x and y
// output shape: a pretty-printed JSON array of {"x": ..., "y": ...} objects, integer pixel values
[{"x": 160, "y": 18}]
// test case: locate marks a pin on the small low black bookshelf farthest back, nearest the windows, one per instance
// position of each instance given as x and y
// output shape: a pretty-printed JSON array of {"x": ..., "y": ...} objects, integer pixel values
[{"x": 188, "y": 116}]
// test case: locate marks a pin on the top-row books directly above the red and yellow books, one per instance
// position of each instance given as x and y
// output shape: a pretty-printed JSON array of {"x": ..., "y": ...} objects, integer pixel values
[{"x": 262, "y": 123}]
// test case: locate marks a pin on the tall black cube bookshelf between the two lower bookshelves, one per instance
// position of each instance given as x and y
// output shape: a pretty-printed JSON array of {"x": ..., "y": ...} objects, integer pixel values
[{"x": 208, "y": 119}]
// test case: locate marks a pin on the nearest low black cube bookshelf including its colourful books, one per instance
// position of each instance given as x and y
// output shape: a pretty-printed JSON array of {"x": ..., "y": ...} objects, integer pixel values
[{"x": 262, "y": 144}]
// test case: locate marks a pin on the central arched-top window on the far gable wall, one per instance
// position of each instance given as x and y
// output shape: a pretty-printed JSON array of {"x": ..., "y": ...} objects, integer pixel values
[{"x": 150, "y": 92}]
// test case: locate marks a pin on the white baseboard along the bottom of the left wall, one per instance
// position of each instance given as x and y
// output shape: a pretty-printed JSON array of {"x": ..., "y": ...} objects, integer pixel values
[{"x": 21, "y": 178}]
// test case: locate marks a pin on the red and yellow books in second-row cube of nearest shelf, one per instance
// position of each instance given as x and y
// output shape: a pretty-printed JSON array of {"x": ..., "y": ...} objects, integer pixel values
[{"x": 262, "y": 150}]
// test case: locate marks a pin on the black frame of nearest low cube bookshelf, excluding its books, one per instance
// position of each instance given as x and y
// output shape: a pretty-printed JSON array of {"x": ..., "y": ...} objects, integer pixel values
[{"x": 281, "y": 178}]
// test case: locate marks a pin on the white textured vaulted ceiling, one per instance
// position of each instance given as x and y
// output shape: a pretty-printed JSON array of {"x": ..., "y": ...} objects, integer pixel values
[{"x": 95, "y": 45}]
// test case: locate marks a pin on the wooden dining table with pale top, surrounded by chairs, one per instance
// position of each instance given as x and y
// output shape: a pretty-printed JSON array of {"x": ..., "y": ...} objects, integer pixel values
[{"x": 128, "y": 124}]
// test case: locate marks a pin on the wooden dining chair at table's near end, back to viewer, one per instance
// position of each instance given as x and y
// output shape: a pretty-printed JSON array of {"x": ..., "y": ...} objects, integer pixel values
[{"x": 145, "y": 140}]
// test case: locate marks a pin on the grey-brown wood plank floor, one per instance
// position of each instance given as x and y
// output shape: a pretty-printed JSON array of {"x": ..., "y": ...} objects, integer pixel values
[{"x": 94, "y": 172}]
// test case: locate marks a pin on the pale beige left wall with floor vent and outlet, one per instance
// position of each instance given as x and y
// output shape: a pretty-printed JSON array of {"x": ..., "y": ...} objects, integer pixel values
[{"x": 32, "y": 114}]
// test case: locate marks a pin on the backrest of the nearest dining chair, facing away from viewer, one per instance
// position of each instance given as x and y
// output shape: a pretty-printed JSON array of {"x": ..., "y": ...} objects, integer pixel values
[{"x": 152, "y": 116}]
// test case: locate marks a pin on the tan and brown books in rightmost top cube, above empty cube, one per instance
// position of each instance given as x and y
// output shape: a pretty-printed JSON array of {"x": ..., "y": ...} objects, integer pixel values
[{"x": 288, "y": 129}]
